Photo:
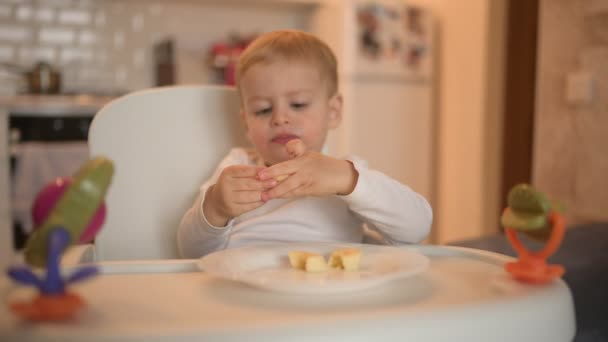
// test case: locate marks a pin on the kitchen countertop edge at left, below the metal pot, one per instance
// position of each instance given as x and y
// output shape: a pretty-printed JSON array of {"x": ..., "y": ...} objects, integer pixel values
[{"x": 52, "y": 105}]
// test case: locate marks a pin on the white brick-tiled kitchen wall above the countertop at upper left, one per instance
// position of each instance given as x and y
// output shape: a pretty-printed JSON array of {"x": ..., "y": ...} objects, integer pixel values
[{"x": 106, "y": 45}]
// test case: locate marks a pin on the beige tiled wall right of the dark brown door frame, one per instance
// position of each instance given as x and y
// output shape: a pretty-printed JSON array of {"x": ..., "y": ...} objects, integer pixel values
[{"x": 571, "y": 139}]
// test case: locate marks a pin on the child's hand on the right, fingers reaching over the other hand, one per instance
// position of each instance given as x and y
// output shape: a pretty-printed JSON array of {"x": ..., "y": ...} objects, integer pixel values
[{"x": 310, "y": 174}]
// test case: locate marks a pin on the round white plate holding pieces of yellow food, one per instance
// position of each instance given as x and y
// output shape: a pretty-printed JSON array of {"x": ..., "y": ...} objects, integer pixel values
[{"x": 268, "y": 267}]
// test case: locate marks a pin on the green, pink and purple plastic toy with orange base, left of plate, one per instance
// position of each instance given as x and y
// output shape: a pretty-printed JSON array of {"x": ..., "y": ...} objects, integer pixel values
[{"x": 65, "y": 212}]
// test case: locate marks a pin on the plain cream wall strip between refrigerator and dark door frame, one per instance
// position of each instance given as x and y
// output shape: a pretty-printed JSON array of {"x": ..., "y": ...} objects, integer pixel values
[{"x": 469, "y": 121}]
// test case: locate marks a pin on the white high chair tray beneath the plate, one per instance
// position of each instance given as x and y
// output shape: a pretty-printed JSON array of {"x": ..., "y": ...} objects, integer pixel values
[{"x": 464, "y": 295}]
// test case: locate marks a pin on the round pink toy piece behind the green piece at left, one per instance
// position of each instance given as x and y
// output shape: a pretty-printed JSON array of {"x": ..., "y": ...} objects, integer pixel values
[{"x": 50, "y": 194}]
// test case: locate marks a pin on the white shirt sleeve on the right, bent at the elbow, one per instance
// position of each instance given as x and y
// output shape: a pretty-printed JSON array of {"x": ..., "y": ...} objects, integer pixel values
[{"x": 396, "y": 211}]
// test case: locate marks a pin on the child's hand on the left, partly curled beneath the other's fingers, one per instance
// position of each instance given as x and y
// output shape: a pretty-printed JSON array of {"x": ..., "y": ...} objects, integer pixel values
[{"x": 238, "y": 190}]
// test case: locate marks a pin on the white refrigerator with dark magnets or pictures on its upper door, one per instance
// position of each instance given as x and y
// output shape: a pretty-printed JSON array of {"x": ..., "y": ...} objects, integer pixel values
[{"x": 386, "y": 54}]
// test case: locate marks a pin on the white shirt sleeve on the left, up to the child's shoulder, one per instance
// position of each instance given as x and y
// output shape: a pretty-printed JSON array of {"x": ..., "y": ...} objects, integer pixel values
[{"x": 196, "y": 236}]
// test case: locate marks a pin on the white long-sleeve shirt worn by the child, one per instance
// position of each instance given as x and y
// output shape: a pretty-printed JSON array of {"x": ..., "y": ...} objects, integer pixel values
[{"x": 398, "y": 213}]
